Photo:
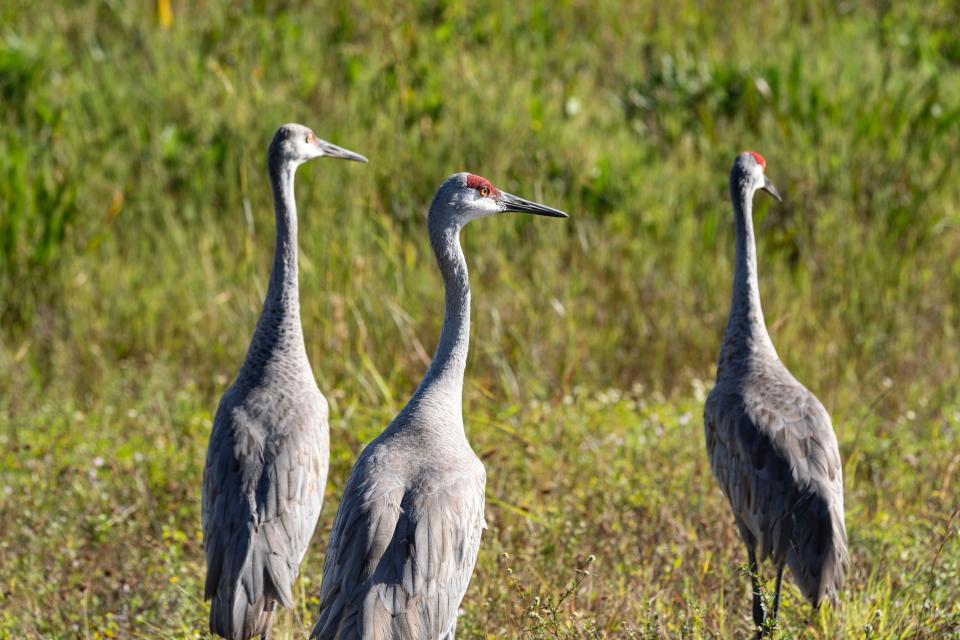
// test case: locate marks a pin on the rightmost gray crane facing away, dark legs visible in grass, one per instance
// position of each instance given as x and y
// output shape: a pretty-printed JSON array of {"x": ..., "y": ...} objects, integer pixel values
[{"x": 771, "y": 445}]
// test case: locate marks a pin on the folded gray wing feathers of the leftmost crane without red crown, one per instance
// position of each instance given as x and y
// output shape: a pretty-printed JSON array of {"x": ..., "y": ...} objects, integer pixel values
[{"x": 262, "y": 494}]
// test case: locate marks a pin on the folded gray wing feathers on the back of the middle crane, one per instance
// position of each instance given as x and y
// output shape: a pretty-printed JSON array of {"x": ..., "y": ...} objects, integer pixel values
[{"x": 401, "y": 567}]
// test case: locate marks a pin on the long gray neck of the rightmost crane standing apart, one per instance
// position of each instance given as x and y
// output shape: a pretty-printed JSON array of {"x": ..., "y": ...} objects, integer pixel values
[{"x": 746, "y": 334}]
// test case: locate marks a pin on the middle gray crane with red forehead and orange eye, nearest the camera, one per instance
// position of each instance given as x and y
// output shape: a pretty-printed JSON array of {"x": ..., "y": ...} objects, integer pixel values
[{"x": 406, "y": 535}]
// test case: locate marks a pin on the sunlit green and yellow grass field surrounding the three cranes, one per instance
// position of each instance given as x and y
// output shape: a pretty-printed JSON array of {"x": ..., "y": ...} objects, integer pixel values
[{"x": 136, "y": 238}]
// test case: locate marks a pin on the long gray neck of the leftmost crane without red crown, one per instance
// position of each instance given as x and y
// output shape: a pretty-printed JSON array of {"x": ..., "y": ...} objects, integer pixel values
[{"x": 279, "y": 335}]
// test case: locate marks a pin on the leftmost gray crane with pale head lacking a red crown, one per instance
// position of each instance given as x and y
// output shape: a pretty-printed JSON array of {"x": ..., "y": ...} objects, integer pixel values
[{"x": 269, "y": 449}]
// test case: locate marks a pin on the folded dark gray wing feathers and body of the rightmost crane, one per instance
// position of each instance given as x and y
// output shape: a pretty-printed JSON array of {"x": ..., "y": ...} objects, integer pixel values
[{"x": 774, "y": 454}]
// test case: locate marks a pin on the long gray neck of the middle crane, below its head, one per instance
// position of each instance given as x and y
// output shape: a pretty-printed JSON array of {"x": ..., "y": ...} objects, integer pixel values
[{"x": 442, "y": 387}]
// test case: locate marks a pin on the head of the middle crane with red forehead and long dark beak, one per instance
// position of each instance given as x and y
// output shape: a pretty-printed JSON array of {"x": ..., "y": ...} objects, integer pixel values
[{"x": 468, "y": 197}]
